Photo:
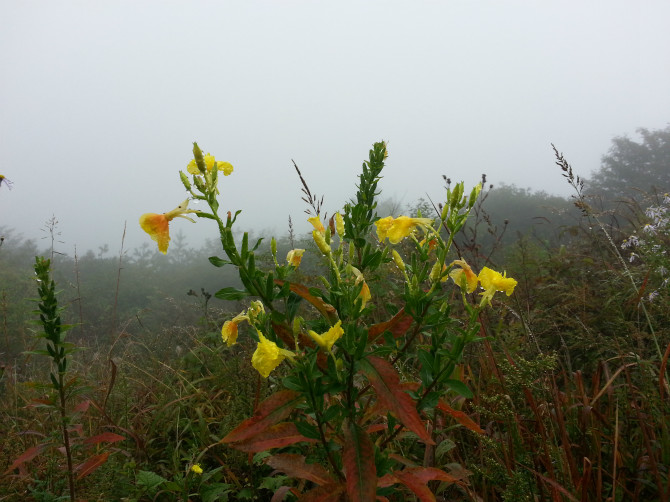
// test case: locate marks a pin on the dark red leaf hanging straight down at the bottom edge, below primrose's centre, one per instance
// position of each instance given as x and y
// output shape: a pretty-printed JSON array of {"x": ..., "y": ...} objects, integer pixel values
[{"x": 358, "y": 459}]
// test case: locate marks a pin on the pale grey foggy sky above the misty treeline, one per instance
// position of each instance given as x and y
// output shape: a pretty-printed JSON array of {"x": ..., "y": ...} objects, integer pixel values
[{"x": 100, "y": 101}]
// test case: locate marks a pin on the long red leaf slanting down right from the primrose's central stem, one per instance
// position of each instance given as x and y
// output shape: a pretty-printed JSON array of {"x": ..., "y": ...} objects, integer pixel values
[{"x": 384, "y": 378}]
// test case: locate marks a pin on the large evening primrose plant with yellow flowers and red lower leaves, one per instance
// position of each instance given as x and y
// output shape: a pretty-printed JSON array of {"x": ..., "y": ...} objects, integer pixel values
[{"x": 359, "y": 403}]
